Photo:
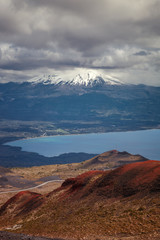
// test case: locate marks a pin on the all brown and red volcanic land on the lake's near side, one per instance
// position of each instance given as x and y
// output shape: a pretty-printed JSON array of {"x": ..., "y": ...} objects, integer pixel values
[{"x": 82, "y": 207}]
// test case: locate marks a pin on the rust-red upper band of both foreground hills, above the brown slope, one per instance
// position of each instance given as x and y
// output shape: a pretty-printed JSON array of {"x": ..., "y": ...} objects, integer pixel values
[{"x": 125, "y": 181}]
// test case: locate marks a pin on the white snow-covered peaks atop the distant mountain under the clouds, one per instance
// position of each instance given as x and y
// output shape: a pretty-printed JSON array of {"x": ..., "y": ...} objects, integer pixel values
[{"x": 85, "y": 79}]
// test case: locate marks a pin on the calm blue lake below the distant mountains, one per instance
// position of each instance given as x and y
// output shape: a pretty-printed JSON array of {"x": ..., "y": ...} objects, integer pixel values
[{"x": 146, "y": 143}]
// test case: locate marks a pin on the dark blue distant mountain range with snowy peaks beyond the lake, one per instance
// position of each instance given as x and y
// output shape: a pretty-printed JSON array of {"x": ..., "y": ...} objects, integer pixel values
[{"x": 87, "y": 101}]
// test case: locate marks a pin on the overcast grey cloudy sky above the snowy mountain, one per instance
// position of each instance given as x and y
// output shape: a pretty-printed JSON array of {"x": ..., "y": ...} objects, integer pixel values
[{"x": 120, "y": 38}]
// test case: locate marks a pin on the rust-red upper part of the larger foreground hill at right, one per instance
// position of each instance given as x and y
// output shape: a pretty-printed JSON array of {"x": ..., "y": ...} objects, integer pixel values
[{"x": 125, "y": 181}]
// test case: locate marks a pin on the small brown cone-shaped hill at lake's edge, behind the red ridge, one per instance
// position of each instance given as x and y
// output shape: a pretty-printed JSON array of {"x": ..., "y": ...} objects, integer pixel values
[{"x": 111, "y": 159}]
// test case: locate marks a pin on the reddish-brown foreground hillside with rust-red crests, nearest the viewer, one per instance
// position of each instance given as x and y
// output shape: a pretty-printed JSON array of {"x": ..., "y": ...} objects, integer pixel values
[{"x": 96, "y": 205}]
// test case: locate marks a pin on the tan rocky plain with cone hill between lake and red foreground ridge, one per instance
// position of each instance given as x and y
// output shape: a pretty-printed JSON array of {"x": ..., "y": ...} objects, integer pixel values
[{"x": 15, "y": 179}]
